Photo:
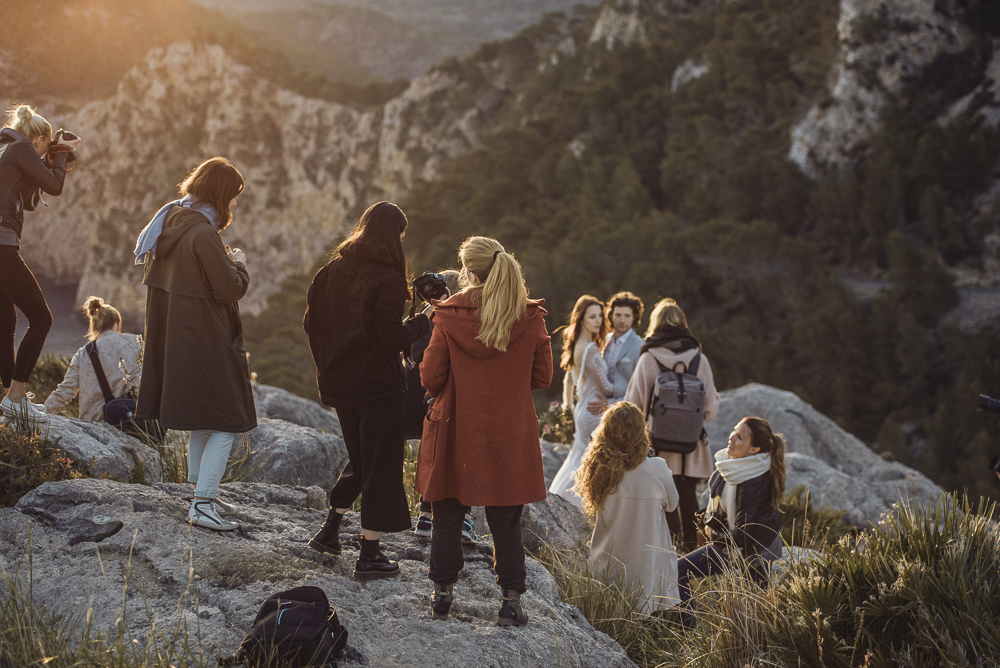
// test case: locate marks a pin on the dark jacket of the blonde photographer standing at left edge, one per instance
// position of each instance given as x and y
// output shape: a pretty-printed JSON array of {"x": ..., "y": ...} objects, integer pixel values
[{"x": 22, "y": 175}]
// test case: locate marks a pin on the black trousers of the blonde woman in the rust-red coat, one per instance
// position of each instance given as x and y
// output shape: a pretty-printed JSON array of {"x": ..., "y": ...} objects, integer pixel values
[{"x": 447, "y": 554}]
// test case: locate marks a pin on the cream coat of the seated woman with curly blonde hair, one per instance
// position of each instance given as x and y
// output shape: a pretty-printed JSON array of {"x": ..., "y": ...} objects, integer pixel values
[{"x": 631, "y": 542}]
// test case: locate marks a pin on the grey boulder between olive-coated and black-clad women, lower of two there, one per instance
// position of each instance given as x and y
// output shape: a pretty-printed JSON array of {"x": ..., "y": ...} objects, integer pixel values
[{"x": 290, "y": 454}]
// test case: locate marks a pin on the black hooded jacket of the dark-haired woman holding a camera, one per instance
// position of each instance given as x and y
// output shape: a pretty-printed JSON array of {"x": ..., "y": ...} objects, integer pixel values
[{"x": 353, "y": 319}]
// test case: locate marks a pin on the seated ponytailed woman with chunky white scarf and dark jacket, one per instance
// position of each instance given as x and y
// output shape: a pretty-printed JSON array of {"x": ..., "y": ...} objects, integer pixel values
[{"x": 742, "y": 520}]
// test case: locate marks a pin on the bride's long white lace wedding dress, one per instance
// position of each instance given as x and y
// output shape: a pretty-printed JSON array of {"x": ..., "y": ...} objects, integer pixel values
[{"x": 590, "y": 384}]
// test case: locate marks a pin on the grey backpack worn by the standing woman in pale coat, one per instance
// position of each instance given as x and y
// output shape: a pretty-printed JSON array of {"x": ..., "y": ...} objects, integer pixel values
[{"x": 676, "y": 413}]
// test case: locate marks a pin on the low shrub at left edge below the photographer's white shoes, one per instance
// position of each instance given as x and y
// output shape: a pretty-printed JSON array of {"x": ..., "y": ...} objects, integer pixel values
[{"x": 26, "y": 461}]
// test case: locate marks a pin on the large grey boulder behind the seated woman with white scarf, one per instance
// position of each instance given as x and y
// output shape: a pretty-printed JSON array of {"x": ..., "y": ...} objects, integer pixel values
[{"x": 839, "y": 470}]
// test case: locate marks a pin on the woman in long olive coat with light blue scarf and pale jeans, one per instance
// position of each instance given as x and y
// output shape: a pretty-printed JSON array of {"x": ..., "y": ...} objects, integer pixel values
[{"x": 195, "y": 373}]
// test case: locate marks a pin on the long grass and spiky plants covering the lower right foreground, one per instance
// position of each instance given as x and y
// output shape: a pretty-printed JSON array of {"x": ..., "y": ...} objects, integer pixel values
[{"x": 921, "y": 589}]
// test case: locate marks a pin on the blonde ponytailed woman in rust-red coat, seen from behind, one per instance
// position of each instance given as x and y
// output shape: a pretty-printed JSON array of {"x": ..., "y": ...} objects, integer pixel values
[{"x": 489, "y": 350}]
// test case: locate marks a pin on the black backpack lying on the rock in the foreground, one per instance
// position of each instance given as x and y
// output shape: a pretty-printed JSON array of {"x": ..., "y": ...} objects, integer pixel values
[{"x": 294, "y": 629}]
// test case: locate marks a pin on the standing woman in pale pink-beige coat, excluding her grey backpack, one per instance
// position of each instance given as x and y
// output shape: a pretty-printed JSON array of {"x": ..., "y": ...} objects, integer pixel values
[{"x": 669, "y": 341}]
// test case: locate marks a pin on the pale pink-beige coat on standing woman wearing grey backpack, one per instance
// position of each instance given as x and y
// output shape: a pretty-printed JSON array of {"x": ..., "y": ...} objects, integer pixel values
[{"x": 699, "y": 464}]
